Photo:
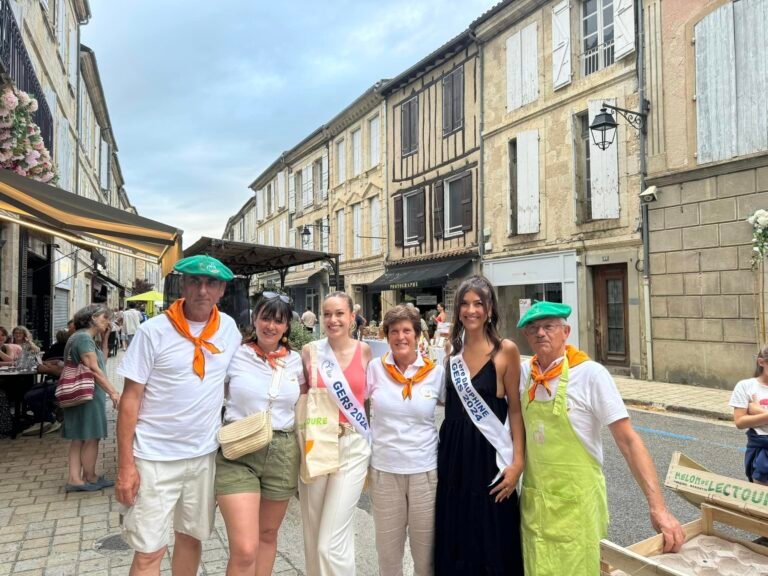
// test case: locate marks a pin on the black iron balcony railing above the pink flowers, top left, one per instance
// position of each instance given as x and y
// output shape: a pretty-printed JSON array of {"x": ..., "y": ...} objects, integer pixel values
[{"x": 17, "y": 66}]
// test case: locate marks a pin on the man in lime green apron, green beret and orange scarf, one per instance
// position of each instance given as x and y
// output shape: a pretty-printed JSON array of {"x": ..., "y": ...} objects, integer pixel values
[{"x": 566, "y": 399}]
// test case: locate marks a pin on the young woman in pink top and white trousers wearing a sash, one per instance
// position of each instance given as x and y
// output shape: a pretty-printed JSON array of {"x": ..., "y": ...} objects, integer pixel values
[{"x": 328, "y": 503}]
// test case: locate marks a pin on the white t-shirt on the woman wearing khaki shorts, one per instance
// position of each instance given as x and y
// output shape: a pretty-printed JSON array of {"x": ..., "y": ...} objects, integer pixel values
[{"x": 249, "y": 380}]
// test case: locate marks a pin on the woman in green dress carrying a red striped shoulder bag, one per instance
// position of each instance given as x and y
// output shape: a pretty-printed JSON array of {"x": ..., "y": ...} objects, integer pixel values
[{"x": 85, "y": 425}]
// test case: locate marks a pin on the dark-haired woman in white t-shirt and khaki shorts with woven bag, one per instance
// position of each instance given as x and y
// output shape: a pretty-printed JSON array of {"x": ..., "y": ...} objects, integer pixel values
[{"x": 253, "y": 491}]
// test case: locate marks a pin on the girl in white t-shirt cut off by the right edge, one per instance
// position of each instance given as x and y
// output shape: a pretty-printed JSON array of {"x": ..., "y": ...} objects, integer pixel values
[{"x": 750, "y": 410}]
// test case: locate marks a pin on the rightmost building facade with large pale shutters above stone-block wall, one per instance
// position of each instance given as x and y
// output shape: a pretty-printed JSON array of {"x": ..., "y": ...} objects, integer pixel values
[{"x": 708, "y": 138}]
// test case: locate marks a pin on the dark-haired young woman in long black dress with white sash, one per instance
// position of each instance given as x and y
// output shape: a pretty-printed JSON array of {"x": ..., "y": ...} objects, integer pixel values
[{"x": 481, "y": 451}]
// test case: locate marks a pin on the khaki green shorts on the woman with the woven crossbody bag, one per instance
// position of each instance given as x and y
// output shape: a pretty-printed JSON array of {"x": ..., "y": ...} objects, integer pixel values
[{"x": 273, "y": 471}]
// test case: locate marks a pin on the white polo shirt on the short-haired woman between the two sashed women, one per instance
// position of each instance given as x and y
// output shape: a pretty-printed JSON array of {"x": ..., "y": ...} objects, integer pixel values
[{"x": 404, "y": 432}]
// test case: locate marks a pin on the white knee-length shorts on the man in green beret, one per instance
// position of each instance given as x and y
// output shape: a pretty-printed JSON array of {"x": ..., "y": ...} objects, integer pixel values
[{"x": 182, "y": 489}]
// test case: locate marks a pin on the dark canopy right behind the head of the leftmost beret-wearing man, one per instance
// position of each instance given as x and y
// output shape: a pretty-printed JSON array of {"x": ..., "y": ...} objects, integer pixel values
[{"x": 245, "y": 259}]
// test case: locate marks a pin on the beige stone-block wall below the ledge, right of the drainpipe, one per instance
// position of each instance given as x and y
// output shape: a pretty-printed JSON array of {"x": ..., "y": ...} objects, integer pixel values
[{"x": 702, "y": 287}]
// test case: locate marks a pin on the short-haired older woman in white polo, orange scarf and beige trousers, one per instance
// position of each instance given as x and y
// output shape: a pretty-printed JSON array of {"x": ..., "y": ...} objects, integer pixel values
[{"x": 404, "y": 389}]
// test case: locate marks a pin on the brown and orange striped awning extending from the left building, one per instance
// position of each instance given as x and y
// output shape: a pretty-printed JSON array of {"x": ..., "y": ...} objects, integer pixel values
[{"x": 71, "y": 217}]
